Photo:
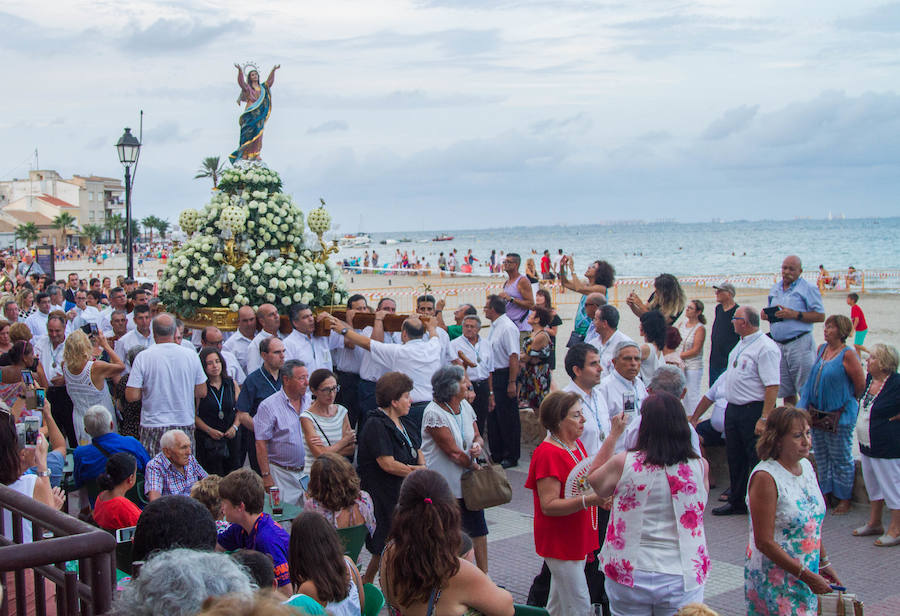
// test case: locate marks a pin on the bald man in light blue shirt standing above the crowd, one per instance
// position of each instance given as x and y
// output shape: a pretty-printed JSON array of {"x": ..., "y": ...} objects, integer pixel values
[{"x": 794, "y": 305}]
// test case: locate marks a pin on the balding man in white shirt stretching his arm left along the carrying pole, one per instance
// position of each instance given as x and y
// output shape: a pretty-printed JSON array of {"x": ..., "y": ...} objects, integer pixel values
[{"x": 415, "y": 358}]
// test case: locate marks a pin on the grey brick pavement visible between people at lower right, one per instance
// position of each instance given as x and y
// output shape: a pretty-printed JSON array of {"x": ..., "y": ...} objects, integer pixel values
[{"x": 863, "y": 568}]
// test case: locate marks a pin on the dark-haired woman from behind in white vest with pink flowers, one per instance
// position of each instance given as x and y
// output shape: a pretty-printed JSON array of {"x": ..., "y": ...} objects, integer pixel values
[{"x": 654, "y": 557}]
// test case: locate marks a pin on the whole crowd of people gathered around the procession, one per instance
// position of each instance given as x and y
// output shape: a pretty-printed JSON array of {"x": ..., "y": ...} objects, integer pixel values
[{"x": 191, "y": 437}]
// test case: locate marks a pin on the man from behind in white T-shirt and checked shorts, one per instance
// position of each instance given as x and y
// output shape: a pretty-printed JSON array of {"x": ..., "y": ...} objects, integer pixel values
[{"x": 167, "y": 378}]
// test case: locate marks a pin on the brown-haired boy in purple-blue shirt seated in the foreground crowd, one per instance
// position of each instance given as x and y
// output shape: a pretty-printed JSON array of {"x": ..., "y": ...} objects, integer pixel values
[{"x": 242, "y": 495}]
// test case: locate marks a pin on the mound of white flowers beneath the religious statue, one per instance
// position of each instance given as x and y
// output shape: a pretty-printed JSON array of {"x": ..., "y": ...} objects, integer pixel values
[{"x": 263, "y": 220}]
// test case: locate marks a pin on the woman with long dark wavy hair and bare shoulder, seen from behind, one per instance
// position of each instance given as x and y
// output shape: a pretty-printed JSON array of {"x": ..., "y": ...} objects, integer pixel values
[{"x": 422, "y": 572}]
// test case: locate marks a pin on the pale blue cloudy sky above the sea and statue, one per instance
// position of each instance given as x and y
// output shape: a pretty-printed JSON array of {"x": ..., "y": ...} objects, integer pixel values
[{"x": 449, "y": 114}]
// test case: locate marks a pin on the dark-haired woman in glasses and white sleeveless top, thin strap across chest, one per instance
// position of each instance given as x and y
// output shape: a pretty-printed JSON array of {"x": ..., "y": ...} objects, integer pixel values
[{"x": 326, "y": 427}]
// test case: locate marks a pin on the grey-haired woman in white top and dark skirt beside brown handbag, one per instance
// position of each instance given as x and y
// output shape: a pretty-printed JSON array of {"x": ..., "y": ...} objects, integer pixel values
[{"x": 451, "y": 444}]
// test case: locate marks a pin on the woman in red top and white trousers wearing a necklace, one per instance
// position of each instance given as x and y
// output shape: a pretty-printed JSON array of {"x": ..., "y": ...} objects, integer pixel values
[{"x": 563, "y": 531}]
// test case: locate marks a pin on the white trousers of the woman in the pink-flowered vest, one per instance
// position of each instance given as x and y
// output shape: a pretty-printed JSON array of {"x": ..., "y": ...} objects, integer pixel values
[{"x": 653, "y": 594}]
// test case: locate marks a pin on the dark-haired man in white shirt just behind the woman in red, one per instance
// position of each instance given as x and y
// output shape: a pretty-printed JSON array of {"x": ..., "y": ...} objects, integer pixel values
[{"x": 583, "y": 367}]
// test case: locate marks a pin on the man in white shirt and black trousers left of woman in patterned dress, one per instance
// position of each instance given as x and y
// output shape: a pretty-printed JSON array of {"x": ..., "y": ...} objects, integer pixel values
[{"x": 504, "y": 429}]
